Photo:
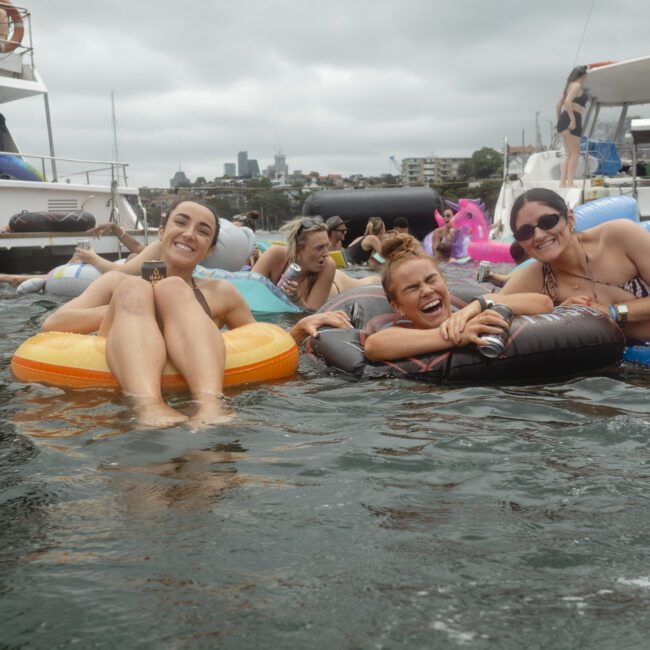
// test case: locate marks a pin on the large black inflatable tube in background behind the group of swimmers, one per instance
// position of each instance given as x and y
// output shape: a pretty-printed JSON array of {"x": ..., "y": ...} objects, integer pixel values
[{"x": 417, "y": 204}]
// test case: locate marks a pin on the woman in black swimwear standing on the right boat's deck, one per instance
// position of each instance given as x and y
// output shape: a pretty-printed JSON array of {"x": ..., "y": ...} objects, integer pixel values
[{"x": 569, "y": 122}]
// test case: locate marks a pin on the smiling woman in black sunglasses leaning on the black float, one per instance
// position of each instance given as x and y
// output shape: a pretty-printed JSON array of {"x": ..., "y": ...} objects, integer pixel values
[{"x": 606, "y": 267}]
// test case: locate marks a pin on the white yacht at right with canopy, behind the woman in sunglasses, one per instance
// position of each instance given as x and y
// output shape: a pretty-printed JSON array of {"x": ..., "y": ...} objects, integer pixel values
[{"x": 614, "y": 146}]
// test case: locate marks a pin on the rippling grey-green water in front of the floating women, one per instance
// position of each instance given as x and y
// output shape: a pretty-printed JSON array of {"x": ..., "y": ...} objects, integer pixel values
[{"x": 329, "y": 514}]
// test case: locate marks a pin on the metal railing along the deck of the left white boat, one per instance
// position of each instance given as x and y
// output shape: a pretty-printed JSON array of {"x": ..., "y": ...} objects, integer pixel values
[{"x": 68, "y": 170}]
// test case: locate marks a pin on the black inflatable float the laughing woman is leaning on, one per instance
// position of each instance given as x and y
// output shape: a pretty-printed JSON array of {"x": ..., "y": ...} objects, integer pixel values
[{"x": 568, "y": 342}]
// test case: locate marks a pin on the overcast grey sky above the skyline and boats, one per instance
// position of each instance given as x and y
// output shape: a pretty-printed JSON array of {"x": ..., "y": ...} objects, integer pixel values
[{"x": 337, "y": 86}]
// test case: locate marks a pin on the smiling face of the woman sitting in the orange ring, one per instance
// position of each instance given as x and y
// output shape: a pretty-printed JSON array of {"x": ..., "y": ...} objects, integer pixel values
[{"x": 188, "y": 234}]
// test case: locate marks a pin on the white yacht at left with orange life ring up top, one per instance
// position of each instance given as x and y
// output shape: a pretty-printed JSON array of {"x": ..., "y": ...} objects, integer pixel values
[{"x": 44, "y": 183}]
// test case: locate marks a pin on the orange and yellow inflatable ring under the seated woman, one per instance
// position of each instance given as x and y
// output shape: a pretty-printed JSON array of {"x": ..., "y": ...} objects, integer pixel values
[{"x": 254, "y": 352}]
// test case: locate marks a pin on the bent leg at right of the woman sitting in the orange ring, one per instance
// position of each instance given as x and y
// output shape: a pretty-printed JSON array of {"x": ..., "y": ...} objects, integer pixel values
[{"x": 195, "y": 346}]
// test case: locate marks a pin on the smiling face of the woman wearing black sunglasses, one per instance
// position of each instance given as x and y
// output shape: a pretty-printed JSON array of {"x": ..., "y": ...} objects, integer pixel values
[{"x": 544, "y": 245}]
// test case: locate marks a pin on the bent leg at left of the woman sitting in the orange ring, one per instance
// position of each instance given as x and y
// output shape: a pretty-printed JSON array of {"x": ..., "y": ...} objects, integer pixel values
[{"x": 135, "y": 351}]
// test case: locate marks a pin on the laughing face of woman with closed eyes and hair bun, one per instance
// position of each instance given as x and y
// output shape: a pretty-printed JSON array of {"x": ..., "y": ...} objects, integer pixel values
[{"x": 420, "y": 292}]
